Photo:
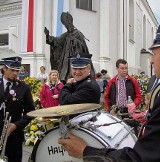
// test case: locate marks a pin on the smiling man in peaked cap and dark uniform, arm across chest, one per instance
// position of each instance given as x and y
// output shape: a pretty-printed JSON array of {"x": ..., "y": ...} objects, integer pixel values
[{"x": 82, "y": 88}]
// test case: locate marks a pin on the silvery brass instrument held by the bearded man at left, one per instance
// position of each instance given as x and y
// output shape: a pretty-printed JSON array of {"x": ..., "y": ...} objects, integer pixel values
[{"x": 3, "y": 138}]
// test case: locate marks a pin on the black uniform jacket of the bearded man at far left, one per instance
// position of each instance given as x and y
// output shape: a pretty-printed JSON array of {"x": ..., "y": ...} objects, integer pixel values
[{"x": 17, "y": 109}]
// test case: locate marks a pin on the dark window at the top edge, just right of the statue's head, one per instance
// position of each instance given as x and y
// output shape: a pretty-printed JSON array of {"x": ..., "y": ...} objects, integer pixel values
[{"x": 84, "y": 4}]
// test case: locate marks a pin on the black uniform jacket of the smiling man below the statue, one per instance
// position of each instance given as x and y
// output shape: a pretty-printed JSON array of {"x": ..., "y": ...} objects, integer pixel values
[{"x": 85, "y": 91}]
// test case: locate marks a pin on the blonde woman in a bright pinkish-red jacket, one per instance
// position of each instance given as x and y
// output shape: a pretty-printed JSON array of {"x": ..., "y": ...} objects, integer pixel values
[{"x": 49, "y": 95}]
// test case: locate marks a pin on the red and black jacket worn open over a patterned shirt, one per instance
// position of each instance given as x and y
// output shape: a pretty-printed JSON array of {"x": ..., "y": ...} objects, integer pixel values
[{"x": 132, "y": 89}]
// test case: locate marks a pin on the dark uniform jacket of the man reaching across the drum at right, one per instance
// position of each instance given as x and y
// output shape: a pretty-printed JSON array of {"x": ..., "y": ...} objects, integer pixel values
[{"x": 146, "y": 149}]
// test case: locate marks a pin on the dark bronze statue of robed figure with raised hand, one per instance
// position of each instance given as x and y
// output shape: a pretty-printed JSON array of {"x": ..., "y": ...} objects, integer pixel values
[{"x": 70, "y": 43}]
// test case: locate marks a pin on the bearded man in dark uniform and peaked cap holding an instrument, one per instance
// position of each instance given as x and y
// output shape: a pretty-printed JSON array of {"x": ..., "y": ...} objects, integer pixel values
[{"x": 15, "y": 98}]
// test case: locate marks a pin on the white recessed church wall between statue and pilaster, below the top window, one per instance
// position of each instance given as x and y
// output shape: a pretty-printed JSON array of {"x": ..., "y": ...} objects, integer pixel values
[{"x": 88, "y": 23}]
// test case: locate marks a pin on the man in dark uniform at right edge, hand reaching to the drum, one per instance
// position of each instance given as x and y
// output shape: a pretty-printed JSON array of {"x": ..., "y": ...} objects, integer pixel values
[{"x": 146, "y": 149}]
